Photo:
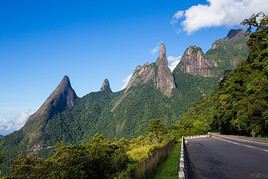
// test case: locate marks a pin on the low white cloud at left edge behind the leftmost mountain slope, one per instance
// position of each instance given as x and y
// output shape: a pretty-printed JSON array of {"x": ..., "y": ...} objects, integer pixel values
[{"x": 9, "y": 125}]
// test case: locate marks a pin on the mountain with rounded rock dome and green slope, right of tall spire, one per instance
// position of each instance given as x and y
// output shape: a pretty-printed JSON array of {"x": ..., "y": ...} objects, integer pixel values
[{"x": 197, "y": 74}]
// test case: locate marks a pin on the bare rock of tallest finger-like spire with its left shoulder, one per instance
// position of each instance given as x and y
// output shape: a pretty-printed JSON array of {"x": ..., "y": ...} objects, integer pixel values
[{"x": 157, "y": 72}]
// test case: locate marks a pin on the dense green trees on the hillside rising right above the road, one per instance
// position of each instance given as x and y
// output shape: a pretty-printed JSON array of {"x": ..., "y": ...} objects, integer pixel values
[{"x": 240, "y": 104}]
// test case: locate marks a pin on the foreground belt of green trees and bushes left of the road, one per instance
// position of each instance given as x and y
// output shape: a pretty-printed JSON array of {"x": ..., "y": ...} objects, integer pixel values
[{"x": 97, "y": 158}]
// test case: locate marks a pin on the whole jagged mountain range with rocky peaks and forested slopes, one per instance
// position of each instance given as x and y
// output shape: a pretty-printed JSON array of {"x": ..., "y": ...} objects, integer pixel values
[{"x": 152, "y": 92}]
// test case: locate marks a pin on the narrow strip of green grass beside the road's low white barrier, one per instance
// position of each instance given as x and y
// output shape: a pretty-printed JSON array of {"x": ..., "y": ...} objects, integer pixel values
[{"x": 168, "y": 168}]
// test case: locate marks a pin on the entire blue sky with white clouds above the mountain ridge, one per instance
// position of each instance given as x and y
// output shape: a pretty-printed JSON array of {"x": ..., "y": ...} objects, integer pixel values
[{"x": 41, "y": 41}]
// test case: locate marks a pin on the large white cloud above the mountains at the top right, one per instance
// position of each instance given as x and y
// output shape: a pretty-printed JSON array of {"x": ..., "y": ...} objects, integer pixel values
[{"x": 220, "y": 13}]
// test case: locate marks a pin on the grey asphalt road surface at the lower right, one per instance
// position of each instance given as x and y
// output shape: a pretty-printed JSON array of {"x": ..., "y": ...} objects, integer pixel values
[{"x": 220, "y": 158}]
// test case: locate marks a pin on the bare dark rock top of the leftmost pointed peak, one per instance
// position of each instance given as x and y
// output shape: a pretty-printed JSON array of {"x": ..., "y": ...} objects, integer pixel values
[{"x": 63, "y": 97}]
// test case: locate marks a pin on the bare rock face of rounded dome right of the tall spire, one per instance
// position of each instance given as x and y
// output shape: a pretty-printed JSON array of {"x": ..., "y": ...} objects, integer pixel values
[{"x": 195, "y": 63}]
